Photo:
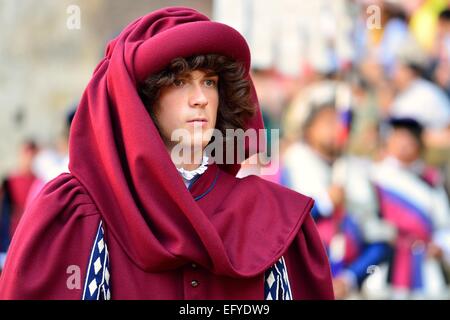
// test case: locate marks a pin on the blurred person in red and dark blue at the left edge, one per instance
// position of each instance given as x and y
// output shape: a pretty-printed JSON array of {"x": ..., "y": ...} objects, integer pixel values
[{"x": 15, "y": 189}]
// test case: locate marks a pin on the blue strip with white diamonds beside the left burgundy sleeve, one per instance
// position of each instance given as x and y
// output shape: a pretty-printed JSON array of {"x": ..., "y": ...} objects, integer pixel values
[{"x": 97, "y": 286}]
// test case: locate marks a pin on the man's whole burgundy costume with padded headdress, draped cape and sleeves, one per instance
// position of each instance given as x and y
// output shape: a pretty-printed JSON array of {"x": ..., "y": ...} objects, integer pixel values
[{"x": 155, "y": 228}]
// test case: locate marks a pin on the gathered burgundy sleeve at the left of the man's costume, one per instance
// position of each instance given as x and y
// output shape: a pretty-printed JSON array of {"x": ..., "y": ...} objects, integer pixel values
[{"x": 50, "y": 249}]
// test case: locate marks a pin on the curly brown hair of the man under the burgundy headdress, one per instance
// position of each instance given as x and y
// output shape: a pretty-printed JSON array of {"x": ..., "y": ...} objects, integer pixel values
[{"x": 235, "y": 105}]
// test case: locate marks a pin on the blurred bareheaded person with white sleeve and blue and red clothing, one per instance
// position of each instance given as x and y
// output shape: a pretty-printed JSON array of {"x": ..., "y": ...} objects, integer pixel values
[{"x": 308, "y": 168}]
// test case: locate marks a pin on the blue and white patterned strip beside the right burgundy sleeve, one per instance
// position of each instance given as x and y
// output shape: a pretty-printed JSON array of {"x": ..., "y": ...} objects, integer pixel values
[{"x": 276, "y": 284}]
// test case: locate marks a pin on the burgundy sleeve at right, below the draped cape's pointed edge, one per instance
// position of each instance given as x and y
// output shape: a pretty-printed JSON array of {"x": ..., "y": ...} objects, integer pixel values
[{"x": 307, "y": 265}]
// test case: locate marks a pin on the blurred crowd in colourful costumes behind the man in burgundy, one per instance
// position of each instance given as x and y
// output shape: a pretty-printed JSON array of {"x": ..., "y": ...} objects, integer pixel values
[{"x": 364, "y": 119}]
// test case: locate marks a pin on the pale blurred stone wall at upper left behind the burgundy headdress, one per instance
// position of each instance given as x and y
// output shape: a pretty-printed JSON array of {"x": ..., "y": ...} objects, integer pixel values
[{"x": 45, "y": 66}]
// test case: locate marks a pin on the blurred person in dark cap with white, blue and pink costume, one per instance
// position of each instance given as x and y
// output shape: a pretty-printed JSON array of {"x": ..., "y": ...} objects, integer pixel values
[{"x": 413, "y": 201}]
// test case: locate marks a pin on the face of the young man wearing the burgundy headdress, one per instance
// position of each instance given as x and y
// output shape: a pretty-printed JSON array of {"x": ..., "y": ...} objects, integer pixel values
[{"x": 190, "y": 103}]
